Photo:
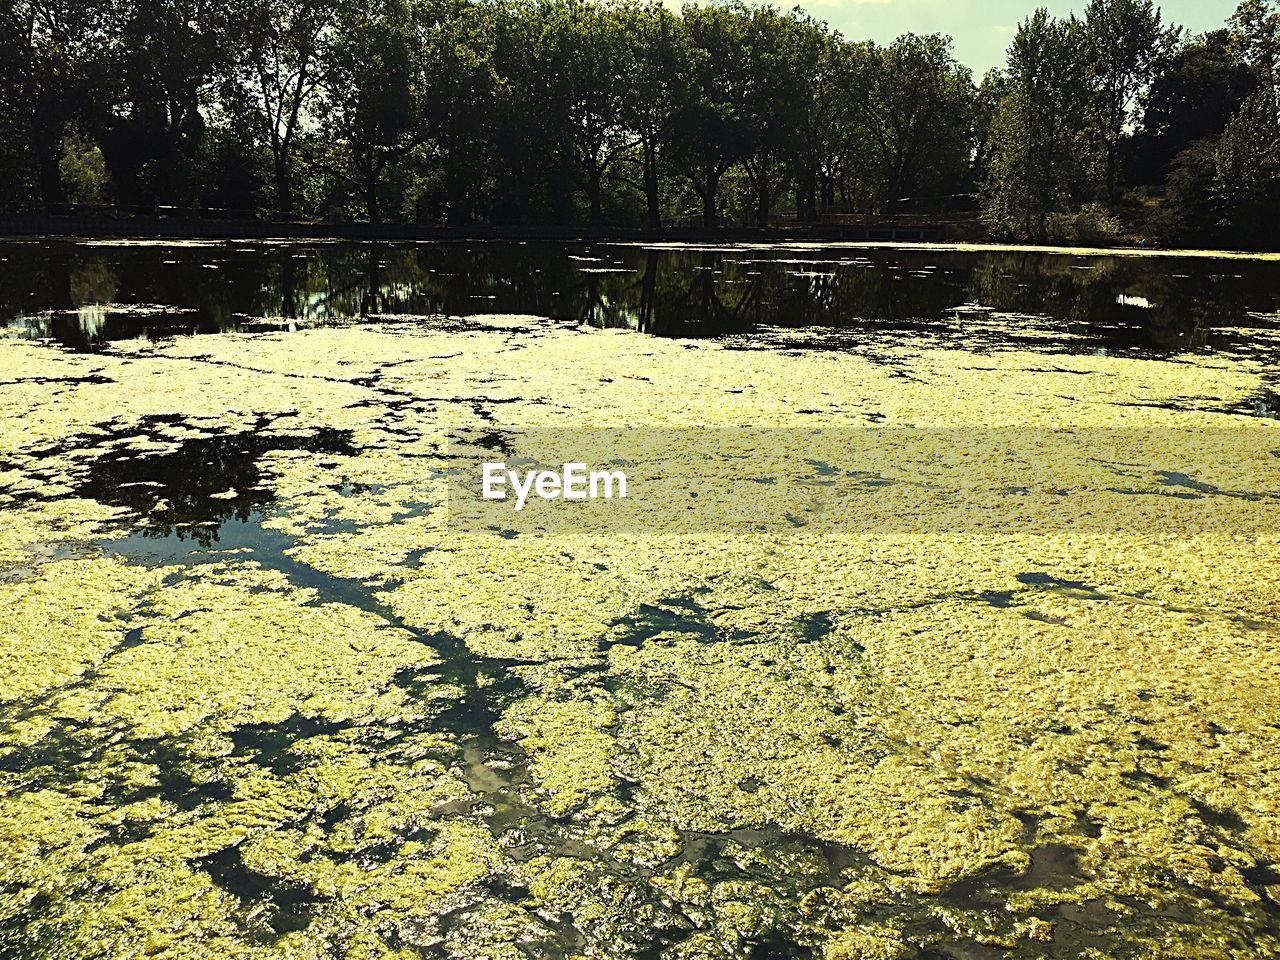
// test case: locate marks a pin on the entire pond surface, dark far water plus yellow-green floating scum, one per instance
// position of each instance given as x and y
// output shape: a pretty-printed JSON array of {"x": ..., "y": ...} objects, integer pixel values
[{"x": 922, "y": 633}]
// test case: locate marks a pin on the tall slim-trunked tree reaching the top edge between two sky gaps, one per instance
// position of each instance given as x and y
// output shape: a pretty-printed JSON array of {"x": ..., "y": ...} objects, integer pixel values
[{"x": 1127, "y": 47}]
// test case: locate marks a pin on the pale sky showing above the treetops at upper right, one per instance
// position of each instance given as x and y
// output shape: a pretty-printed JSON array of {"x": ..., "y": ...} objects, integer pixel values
[{"x": 982, "y": 29}]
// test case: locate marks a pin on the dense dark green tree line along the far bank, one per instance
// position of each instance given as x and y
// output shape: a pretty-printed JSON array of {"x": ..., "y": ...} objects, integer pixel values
[{"x": 627, "y": 113}]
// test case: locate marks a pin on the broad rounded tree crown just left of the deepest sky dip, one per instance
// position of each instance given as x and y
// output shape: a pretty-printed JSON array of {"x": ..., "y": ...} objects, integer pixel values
[{"x": 915, "y": 103}]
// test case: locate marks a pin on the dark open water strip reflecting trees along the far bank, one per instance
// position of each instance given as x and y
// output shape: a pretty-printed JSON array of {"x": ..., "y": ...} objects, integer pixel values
[{"x": 86, "y": 295}]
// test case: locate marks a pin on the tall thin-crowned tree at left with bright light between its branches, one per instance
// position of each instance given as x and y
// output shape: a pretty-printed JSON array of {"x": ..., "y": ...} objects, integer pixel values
[{"x": 281, "y": 47}]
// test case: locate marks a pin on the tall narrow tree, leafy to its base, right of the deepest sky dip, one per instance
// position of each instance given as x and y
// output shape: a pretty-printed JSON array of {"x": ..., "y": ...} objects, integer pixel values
[{"x": 1036, "y": 144}]
